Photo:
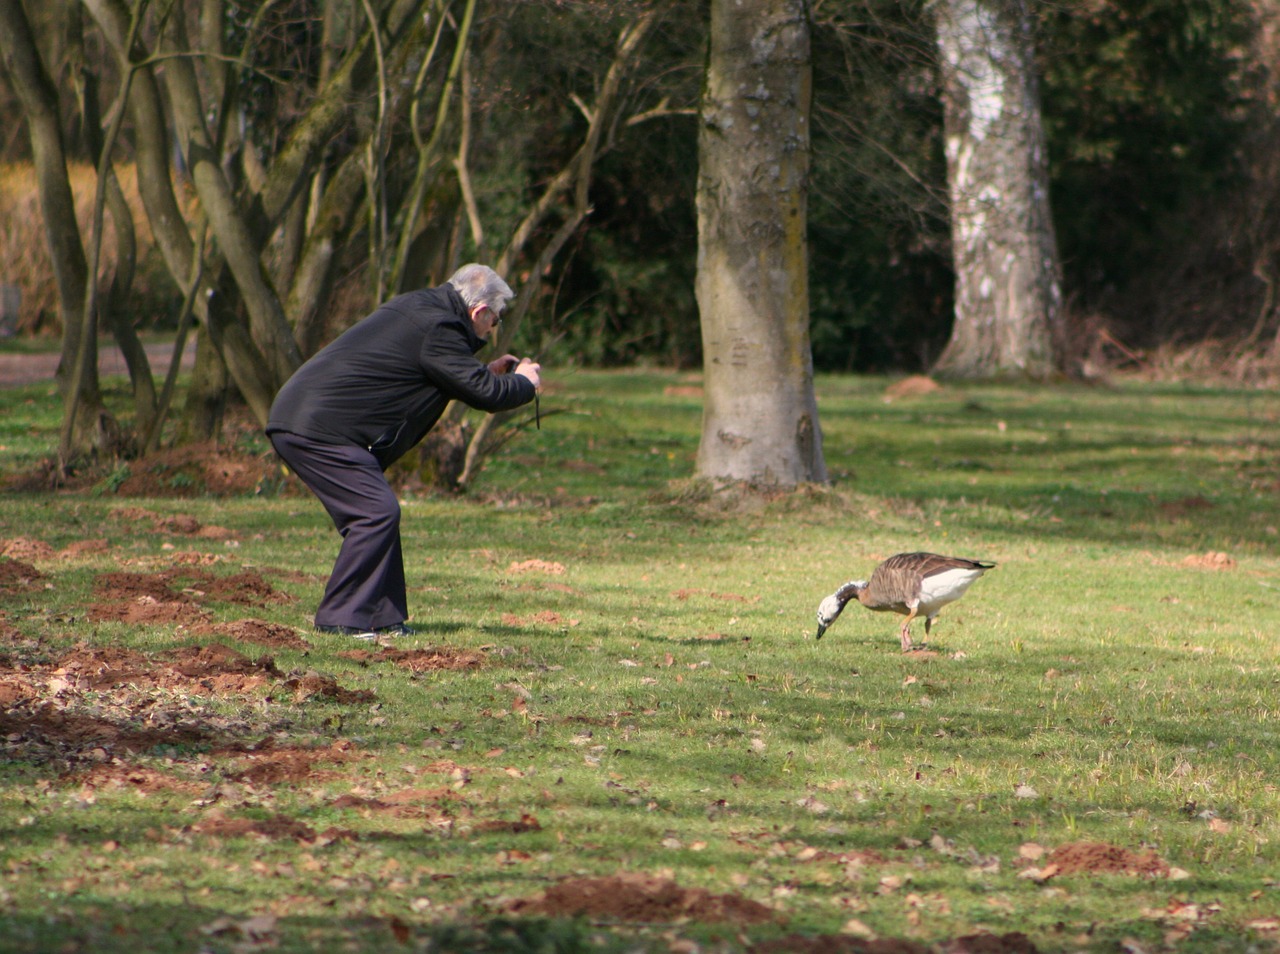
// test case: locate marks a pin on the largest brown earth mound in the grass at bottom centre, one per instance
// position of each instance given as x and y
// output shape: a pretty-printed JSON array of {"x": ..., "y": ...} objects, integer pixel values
[{"x": 638, "y": 897}]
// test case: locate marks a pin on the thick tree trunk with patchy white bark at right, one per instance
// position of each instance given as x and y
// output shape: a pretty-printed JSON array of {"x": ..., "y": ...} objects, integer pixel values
[{"x": 1008, "y": 294}]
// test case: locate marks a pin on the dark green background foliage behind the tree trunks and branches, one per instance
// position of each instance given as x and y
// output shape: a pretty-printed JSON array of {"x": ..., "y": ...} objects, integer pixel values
[{"x": 1162, "y": 120}]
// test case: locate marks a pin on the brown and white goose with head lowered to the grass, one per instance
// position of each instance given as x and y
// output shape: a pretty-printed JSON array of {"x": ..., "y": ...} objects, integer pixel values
[{"x": 913, "y": 585}]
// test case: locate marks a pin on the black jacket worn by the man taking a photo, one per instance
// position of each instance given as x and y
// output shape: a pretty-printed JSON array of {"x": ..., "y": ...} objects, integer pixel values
[{"x": 386, "y": 381}]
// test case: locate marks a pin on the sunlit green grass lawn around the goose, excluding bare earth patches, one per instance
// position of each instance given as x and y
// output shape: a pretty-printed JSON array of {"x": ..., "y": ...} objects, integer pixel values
[{"x": 662, "y": 705}]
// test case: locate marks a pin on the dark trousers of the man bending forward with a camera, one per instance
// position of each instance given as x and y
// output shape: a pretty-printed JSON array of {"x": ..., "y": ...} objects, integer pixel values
[{"x": 367, "y": 587}]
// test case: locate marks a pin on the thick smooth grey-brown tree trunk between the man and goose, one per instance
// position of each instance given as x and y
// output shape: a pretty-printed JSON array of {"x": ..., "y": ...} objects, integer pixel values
[{"x": 760, "y": 416}]
